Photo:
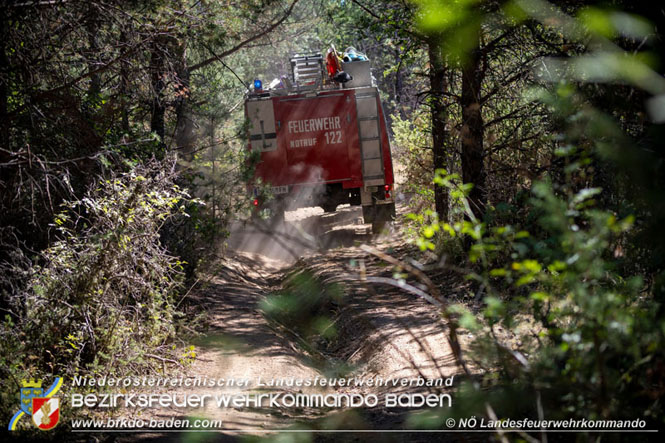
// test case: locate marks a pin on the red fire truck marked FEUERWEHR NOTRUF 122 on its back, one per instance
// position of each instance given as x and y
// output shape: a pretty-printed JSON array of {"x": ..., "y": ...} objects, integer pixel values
[{"x": 321, "y": 143}]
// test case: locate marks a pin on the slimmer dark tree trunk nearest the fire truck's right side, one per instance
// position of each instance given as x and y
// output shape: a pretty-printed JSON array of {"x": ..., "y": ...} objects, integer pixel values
[{"x": 437, "y": 78}]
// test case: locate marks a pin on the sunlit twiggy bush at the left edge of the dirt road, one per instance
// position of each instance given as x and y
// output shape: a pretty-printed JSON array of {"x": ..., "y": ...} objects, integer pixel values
[{"x": 102, "y": 296}]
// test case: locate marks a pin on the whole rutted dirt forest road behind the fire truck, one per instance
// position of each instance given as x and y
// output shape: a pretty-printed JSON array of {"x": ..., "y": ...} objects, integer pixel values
[{"x": 381, "y": 331}]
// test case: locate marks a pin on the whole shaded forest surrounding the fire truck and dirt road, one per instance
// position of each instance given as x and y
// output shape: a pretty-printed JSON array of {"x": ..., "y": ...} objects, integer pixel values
[{"x": 530, "y": 134}]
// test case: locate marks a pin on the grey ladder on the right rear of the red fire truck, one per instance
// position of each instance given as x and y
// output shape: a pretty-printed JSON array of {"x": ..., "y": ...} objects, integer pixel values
[{"x": 369, "y": 130}]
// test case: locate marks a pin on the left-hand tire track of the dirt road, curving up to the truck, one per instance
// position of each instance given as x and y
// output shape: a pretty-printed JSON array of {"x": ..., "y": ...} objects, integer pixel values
[{"x": 240, "y": 343}]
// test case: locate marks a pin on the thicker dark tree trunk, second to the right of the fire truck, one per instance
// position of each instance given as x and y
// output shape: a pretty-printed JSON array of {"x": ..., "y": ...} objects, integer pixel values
[{"x": 473, "y": 170}]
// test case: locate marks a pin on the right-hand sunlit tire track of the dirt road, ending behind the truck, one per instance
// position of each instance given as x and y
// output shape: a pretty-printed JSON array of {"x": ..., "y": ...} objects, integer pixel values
[{"x": 384, "y": 332}]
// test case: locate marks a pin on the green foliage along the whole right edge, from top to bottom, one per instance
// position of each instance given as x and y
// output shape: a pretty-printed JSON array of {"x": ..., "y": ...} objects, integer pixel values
[{"x": 572, "y": 297}]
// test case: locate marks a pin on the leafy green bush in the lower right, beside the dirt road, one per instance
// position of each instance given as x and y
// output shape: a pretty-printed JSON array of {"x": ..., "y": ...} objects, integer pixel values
[{"x": 589, "y": 334}]
